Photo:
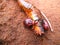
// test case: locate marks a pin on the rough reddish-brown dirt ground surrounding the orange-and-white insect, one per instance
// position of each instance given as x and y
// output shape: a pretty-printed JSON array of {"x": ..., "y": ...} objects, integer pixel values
[{"x": 12, "y": 31}]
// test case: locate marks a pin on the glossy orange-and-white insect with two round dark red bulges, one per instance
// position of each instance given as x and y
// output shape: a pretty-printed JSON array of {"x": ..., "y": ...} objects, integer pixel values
[{"x": 37, "y": 26}]
